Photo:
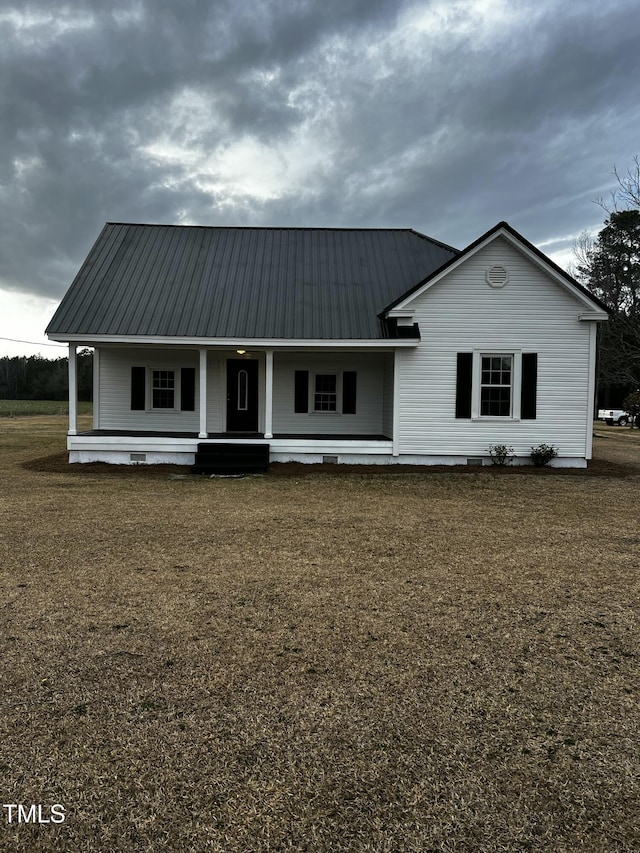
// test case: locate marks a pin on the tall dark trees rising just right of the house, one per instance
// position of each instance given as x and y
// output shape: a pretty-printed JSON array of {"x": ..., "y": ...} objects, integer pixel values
[{"x": 608, "y": 265}]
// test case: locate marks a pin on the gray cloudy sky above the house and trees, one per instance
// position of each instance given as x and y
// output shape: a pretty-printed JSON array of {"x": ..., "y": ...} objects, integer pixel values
[{"x": 446, "y": 116}]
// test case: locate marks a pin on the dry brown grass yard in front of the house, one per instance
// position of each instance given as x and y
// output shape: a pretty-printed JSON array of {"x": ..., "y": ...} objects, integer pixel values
[{"x": 319, "y": 661}]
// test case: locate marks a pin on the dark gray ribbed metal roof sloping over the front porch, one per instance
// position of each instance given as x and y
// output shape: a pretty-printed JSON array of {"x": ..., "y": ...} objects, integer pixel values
[{"x": 278, "y": 283}]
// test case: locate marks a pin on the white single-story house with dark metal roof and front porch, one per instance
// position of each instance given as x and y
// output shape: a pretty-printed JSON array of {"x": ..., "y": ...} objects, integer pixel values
[{"x": 312, "y": 344}]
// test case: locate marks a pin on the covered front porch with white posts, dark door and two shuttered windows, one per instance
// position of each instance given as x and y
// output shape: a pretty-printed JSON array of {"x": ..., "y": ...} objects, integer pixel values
[{"x": 163, "y": 404}]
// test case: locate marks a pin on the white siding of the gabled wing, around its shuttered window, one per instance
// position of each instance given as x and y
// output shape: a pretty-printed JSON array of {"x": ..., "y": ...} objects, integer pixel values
[{"x": 461, "y": 313}]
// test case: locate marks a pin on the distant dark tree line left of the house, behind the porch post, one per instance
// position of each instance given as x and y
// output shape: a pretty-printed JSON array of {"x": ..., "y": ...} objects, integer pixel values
[{"x": 36, "y": 378}]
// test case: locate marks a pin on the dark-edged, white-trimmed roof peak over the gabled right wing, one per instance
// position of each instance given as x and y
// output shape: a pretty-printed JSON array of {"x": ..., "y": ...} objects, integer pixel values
[{"x": 590, "y": 303}]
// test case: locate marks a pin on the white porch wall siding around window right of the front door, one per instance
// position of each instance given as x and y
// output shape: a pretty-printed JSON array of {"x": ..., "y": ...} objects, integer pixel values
[{"x": 367, "y": 420}]
